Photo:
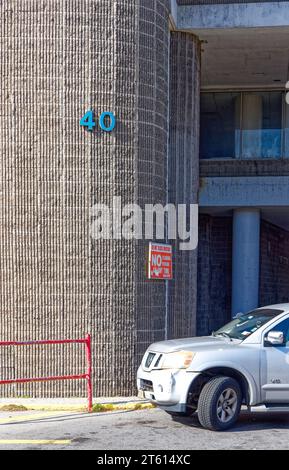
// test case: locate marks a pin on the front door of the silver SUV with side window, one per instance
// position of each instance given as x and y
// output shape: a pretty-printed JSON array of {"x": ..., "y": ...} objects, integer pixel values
[{"x": 275, "y": 367}]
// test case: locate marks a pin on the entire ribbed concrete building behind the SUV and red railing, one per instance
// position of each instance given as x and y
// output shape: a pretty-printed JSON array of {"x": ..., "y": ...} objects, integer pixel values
[{"x": 198, "y": 91}]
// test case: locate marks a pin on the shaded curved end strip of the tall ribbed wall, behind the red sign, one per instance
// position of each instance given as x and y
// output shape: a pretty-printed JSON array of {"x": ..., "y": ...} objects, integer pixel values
[{"x": 153, "y": 98}]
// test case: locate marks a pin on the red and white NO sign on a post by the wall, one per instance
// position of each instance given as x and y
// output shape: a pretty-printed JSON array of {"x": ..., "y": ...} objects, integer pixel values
[{"x": 160, "y": 265}]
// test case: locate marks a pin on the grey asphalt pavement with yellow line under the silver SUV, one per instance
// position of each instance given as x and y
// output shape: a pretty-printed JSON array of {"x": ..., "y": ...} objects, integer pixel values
[{"x": 141, "y": 430}]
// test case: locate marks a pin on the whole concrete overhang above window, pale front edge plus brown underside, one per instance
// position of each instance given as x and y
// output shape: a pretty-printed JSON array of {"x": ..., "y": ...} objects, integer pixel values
[{"x": 245, "y": 44}]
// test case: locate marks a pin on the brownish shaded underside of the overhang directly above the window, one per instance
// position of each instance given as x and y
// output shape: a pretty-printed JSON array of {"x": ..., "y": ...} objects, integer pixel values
[{"x": 239, "y": 58}]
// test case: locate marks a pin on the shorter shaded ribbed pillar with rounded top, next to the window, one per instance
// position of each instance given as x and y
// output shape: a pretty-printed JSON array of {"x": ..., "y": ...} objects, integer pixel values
[{"x": 183, "y": 181}]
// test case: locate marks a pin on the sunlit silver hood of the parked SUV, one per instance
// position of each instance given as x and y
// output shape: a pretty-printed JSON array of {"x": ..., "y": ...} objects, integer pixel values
[{"x": 193, "y": 344}]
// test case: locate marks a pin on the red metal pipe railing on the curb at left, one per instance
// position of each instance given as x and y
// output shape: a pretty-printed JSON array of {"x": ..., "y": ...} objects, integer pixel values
[{"x": 87, "y": 376}]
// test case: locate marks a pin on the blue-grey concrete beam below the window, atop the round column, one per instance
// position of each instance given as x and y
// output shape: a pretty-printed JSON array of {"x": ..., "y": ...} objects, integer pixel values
[{"x": 267, "y": 191}]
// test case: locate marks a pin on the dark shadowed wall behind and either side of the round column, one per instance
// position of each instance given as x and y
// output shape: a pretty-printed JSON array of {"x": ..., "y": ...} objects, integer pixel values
[{"x": 215, "y": 270}]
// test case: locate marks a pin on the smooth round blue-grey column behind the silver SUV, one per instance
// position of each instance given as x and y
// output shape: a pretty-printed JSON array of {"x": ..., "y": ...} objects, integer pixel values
[{"x": 245, "y": 259}]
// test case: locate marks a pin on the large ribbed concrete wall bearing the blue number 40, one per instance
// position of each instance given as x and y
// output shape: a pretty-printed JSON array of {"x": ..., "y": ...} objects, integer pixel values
[{"x": 59, "y": 59}]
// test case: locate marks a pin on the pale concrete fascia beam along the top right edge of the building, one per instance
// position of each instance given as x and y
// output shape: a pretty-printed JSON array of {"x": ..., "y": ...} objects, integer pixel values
[{"x": 197, "y": 18}]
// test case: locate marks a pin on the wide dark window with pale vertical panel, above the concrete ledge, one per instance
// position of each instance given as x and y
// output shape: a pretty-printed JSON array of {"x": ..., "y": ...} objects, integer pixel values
[{"x": 243, "y": 125}]
